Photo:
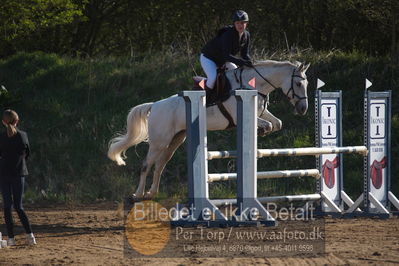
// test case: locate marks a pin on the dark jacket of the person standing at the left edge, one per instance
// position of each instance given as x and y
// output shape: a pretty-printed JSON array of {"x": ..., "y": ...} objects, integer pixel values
[{"x": 13, "y": 154}]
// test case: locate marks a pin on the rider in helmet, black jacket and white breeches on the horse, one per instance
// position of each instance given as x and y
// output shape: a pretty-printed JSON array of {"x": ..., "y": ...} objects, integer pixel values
[{"x": 222, "y": 49}]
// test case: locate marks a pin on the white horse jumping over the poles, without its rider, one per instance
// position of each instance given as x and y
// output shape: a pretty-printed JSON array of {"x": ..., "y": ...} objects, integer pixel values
[{"x": 163, "y": 123}]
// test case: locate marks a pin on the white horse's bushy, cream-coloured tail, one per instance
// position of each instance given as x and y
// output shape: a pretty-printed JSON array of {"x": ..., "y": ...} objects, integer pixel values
[{"x": 136, "y": 132}]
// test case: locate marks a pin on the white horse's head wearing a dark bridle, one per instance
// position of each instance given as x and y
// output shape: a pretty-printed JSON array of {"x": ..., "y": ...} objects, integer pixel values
[{"x": 295, "y": 86}]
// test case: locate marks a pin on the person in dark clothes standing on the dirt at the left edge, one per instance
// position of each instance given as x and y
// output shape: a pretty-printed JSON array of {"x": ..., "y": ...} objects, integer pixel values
[{"x": 14, "y": 150}]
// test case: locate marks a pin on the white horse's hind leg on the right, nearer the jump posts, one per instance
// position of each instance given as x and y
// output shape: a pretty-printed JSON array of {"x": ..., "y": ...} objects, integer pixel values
[{"x": 163, "y": 159}]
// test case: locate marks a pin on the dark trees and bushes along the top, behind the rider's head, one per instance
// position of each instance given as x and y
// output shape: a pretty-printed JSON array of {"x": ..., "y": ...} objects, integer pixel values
[{"x": 129, "y": 27}]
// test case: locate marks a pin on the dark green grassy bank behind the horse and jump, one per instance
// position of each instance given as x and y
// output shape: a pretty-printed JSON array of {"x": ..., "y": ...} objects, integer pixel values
[{"x": 72, "y": 107}]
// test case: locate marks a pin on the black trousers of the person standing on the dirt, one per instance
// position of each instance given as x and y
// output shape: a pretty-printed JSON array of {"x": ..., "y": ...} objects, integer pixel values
[{"x": 12, "y": 190}]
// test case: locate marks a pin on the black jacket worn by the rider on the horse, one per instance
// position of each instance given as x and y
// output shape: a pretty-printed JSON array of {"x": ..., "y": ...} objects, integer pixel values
[{"x": 226, "y": 45}]
